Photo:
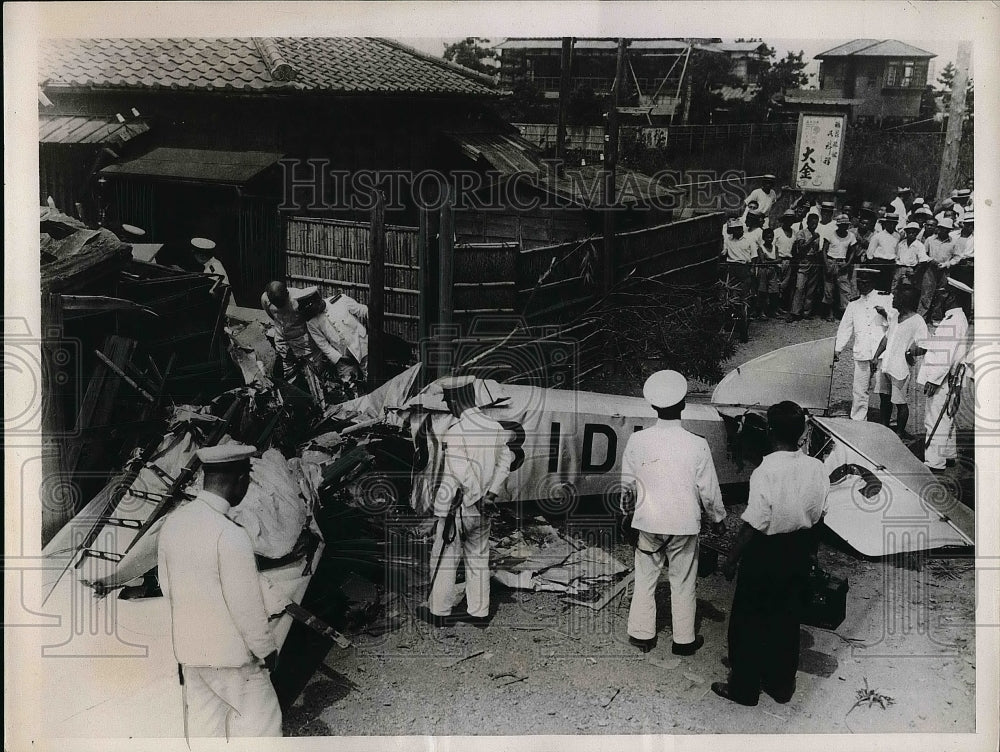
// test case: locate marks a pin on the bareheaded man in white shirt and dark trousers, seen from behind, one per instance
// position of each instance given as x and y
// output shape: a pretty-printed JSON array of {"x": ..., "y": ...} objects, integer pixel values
[{"x": 774, "y": 548}]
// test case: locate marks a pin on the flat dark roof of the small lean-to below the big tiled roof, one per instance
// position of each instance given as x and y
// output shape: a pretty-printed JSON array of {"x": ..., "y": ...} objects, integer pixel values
[{"x": 201, "y": 165}]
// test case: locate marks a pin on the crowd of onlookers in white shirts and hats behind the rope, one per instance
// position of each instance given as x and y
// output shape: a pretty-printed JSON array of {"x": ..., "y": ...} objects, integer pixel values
[{"x": 802, "y": 262}]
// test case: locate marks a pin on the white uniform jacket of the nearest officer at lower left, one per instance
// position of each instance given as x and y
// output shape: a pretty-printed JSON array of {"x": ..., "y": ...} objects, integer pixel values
[{"x": 208, "y": 573}]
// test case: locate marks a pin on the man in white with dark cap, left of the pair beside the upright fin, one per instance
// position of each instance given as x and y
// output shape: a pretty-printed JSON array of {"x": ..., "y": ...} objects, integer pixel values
[{"x": 866, "y": 319}]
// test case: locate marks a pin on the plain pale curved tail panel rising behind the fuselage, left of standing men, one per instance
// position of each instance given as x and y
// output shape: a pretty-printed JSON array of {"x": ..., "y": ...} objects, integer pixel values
[{"x": 801, "y": 373}]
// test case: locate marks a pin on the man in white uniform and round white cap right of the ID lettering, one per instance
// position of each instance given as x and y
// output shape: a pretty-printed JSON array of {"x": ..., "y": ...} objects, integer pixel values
[{"x": 670, "y": 474}]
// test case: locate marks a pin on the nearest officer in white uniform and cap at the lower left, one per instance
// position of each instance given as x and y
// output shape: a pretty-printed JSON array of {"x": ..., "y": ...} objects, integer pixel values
[{"x": 221, "y": 638}]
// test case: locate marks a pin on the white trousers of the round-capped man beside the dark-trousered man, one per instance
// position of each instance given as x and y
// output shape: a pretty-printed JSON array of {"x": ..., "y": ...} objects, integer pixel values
[{"x": 681, "y": 557}]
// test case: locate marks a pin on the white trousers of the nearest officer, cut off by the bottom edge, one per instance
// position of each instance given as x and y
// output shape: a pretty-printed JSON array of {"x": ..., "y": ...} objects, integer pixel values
[{"x": 229, "y": 702}]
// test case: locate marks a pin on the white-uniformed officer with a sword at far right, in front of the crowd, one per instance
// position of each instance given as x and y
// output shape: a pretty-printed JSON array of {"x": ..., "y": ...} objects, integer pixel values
[{"x": 944, "y": 352}]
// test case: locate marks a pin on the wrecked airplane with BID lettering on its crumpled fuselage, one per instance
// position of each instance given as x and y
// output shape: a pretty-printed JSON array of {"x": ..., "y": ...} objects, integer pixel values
[{"x": 567, "y": 446}]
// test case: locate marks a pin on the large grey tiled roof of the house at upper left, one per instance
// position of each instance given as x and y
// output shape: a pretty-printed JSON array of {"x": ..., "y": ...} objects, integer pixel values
[{"x": 336, "y": 65}]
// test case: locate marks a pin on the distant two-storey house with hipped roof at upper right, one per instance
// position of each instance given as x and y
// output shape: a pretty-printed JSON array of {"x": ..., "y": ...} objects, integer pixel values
[{"x": 873, "y": 80}]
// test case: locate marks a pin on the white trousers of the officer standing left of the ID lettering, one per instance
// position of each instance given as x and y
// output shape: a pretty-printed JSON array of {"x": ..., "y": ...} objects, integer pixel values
[{"x": 471, "y": 545}]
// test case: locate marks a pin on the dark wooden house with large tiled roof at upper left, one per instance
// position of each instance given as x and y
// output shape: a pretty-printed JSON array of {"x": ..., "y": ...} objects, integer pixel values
[{"x": 243, "y": 133}]
